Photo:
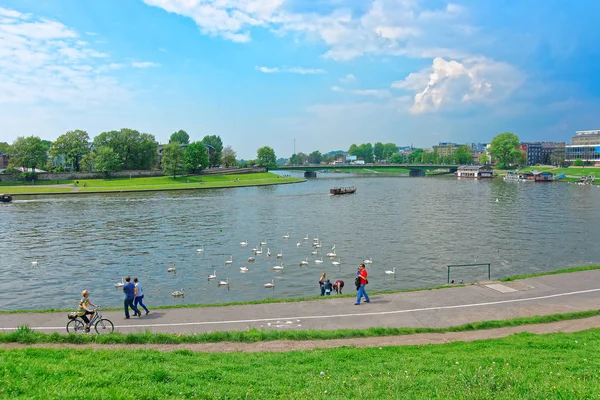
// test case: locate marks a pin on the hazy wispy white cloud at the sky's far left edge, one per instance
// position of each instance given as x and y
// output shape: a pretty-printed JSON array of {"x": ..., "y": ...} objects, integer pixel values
[{"x": 42, "y": 61}]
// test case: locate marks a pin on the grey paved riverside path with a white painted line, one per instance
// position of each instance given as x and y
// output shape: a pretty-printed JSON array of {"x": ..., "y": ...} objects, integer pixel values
[{"x": 552, "y": 294}]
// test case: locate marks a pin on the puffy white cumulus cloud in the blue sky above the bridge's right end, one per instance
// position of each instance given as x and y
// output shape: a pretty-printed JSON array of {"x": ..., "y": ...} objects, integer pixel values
[{"x": 448, "y": 83}]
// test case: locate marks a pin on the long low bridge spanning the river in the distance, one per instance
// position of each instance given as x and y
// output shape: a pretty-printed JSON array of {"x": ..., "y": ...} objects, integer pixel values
[{"x": 310, "y": 170}]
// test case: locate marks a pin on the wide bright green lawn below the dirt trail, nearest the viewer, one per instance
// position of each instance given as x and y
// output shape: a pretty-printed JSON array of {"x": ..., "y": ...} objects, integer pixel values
[{"x": 520, "y": 366}]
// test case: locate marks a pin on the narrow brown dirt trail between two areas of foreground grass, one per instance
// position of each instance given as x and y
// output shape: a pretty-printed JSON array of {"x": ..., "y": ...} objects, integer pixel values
[{"x": 291, "y": 345}]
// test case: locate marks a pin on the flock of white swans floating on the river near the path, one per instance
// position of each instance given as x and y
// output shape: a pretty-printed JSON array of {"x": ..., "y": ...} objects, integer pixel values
[{"x": 258, "y": 251}]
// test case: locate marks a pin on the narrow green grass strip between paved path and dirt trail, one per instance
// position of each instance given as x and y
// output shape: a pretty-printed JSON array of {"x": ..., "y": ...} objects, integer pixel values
[{"x": 25, "y": 335}]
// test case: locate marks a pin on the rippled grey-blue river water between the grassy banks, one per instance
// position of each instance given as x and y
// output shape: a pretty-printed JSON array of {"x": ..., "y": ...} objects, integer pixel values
[{"x": 417, "y": 225}]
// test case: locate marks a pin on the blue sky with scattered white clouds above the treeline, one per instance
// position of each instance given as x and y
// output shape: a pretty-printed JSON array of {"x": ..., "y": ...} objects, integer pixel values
[{"x": 301, "y": 75}]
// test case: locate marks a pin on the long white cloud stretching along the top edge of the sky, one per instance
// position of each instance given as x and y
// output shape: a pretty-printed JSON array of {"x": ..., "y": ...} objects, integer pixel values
[{"x": 388, "y": 27}]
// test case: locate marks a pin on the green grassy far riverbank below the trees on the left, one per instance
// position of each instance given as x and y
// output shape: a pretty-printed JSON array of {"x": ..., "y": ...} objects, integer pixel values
[{"x": 148, "y": 184}]
